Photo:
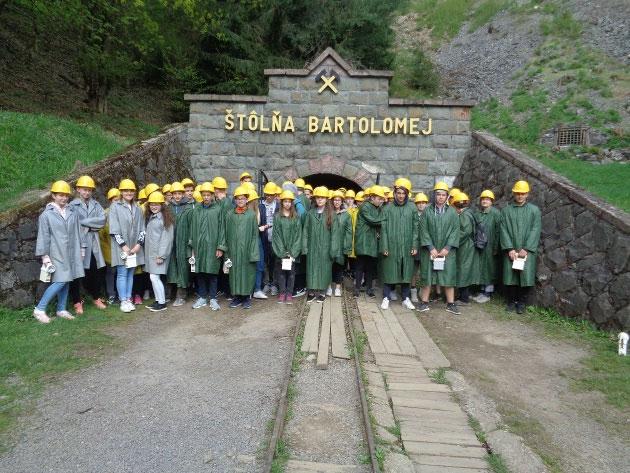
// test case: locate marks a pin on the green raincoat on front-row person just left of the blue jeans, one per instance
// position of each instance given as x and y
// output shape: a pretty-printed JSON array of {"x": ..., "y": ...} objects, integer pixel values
[{"x": 241, "y": 234}]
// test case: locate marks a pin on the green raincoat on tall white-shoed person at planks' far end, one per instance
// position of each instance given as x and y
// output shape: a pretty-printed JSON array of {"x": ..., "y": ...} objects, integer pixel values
[{"x": 399, "y": 235}]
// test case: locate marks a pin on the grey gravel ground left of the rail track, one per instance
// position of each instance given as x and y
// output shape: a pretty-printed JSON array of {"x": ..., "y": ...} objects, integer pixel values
[{"x": 192, "y": 393}]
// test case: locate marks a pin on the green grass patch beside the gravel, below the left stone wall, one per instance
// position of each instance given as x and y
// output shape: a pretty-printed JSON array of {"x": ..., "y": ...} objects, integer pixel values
[{"x": 33, "y": 355}]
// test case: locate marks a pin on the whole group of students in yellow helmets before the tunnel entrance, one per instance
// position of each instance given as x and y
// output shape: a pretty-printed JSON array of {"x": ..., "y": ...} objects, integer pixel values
[{"x": 200, "y": 240}]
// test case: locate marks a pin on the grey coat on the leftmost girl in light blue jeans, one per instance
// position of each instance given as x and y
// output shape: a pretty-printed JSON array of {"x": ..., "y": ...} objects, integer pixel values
[{"x": 61, "y": 240}]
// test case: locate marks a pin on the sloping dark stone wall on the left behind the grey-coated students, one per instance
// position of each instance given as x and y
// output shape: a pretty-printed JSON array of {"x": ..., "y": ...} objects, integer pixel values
[{"x": 161, "y": 159}]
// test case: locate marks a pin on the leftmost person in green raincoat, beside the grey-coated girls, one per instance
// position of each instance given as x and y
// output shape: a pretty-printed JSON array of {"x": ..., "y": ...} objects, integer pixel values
[{"x": 179, "y": 267}]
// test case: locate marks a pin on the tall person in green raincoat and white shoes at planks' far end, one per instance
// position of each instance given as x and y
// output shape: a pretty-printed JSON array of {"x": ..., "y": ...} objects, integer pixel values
[{"x": 399, "y": 244}]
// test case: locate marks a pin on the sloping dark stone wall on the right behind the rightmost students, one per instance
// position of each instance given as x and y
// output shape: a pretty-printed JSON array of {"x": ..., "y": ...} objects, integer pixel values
[{"x": 584, "y": 255}]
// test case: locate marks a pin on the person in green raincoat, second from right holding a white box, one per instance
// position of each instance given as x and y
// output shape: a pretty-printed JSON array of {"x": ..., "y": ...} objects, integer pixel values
[{"x": 439, "y": 238}]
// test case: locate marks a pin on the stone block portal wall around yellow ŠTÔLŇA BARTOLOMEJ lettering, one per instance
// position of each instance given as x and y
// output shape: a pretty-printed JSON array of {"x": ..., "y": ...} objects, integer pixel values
[{"x": 358, "y": 157}]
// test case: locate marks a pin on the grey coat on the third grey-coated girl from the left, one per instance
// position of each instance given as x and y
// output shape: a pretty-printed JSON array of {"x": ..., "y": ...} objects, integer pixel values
[{"x": 129, "y": 224}]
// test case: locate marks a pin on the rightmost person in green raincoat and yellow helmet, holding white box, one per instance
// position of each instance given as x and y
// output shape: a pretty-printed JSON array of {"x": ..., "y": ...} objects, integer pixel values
[{"x": 520, "y": 235}]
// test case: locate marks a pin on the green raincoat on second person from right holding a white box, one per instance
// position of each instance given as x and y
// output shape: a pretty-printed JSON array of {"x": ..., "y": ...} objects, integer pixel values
[{"x": 438, "y": 231}]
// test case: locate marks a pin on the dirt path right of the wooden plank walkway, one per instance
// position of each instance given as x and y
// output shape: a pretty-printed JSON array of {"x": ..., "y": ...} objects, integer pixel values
[{"x": 528, "y": 375}]
